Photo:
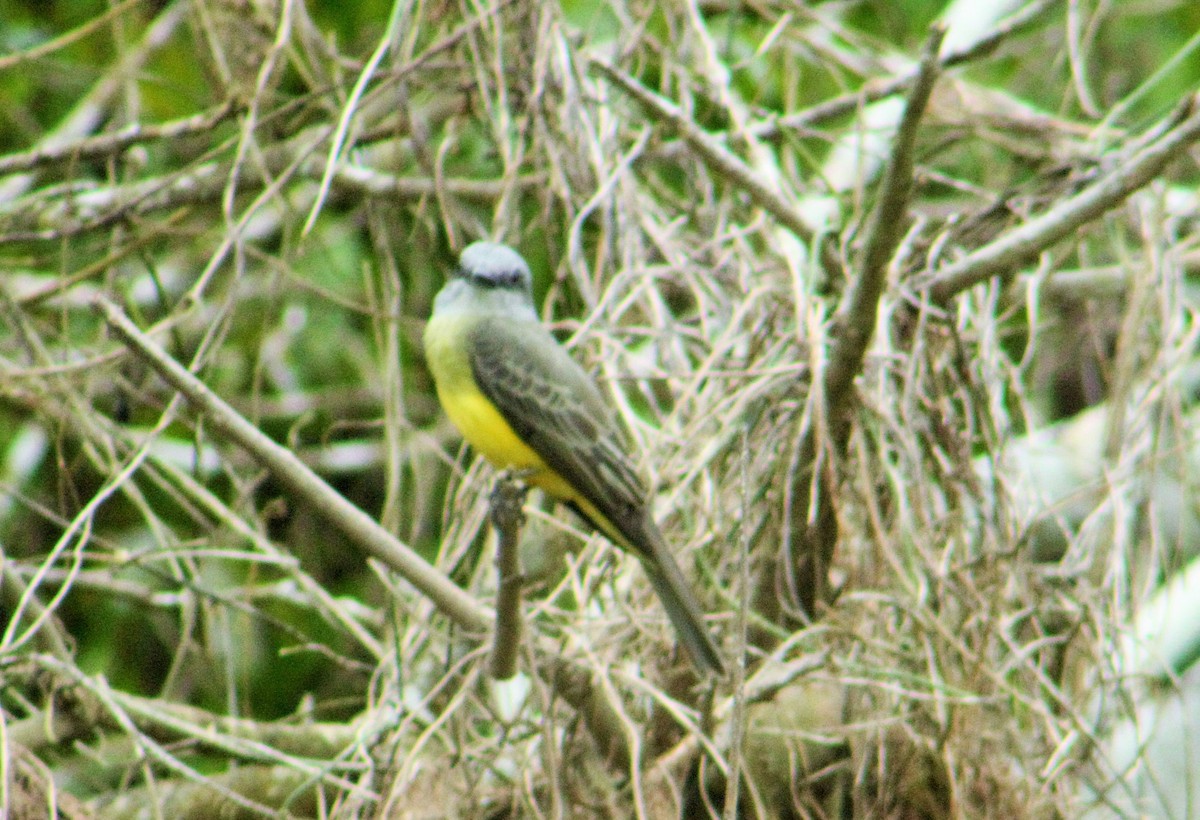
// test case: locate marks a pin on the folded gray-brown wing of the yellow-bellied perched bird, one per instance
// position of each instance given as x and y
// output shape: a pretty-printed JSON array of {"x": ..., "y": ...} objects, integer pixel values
[{"x": 556, "y": 409}]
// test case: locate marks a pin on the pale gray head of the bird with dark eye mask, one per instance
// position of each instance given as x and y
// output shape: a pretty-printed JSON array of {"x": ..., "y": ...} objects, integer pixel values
[{"x": 491, "y": 279}]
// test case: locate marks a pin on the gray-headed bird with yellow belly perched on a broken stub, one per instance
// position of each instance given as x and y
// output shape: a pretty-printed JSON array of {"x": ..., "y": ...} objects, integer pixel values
[{"x": 518, "y": 398}]
